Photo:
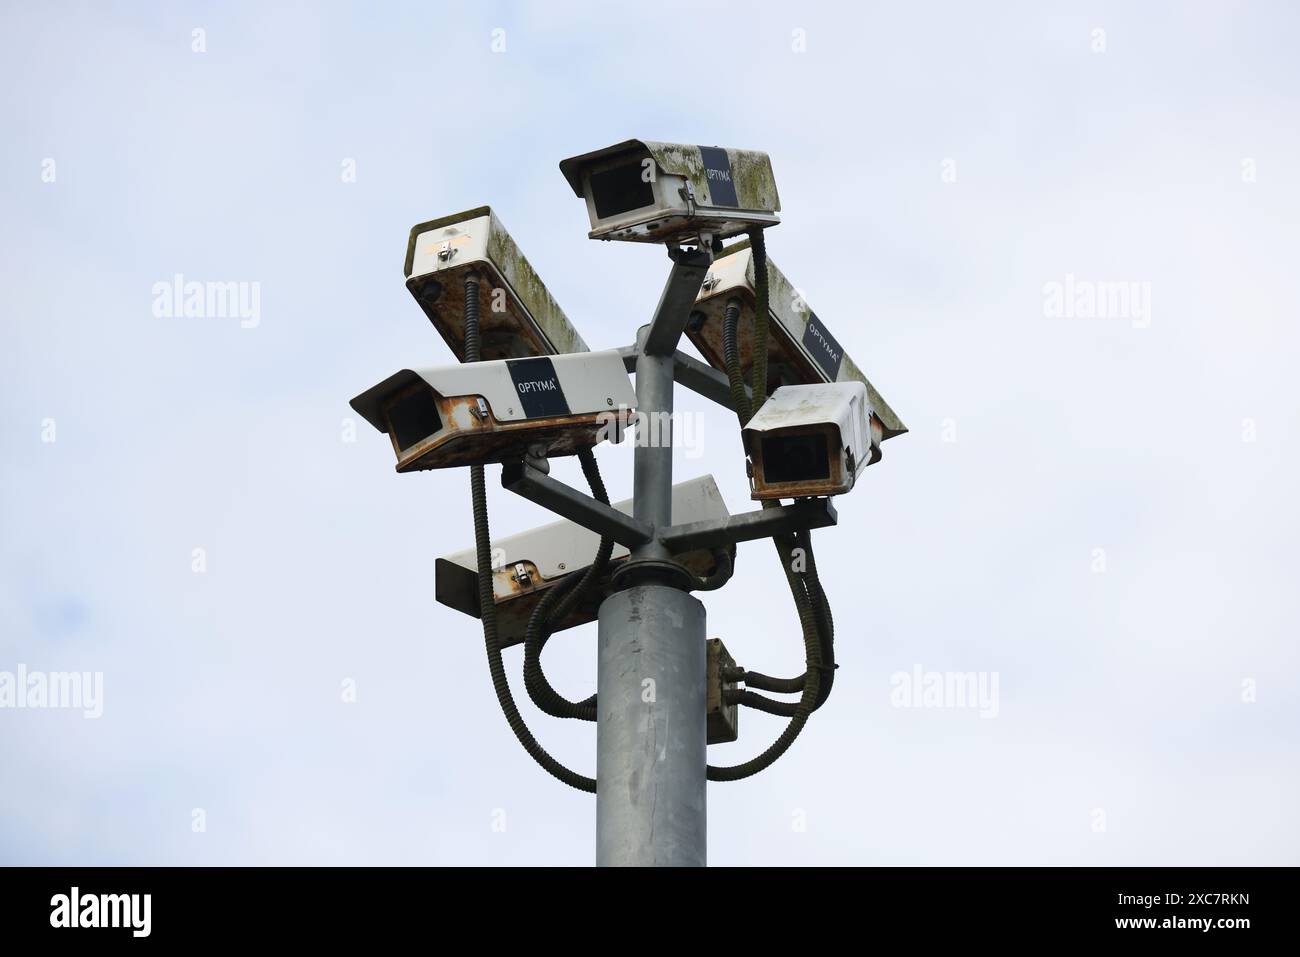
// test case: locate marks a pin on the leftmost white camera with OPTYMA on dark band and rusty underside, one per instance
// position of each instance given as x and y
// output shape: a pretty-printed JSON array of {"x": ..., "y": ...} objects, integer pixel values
[{"x": 501, "y": 410}]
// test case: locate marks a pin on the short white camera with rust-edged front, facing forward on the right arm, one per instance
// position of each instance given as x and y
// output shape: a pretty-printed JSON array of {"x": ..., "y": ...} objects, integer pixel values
[{"x": 812, "y": 440}]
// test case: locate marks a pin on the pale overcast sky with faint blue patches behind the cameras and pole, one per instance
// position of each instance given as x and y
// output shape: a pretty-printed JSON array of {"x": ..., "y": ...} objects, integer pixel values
[{"x": 1099, "y": 510}]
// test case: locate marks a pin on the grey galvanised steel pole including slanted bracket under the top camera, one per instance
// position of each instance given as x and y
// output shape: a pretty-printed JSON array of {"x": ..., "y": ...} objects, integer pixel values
[{"x": 651, "y": 738}]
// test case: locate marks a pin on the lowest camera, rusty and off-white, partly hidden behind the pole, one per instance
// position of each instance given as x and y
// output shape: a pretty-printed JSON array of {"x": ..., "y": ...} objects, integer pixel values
[{"x": 534, "y": 562}]
